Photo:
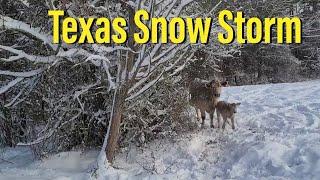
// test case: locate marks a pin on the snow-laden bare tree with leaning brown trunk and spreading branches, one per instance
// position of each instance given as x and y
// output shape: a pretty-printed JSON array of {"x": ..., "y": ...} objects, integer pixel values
[{"x": 127, "y": 70}]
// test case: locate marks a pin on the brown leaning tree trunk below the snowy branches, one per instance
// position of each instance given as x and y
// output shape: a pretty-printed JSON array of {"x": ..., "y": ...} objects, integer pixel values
[{"x": 113, "y": 137}]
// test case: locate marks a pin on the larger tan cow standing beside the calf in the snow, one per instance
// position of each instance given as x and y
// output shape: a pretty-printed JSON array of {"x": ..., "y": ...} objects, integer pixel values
[{"x": 204, "y": 97}]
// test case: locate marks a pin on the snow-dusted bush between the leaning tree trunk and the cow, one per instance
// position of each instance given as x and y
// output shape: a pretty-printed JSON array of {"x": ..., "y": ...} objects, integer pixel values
[{"x": 161, "y": 112}]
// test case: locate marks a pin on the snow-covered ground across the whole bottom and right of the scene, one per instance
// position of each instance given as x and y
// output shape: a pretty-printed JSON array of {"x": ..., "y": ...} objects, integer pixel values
[{"x": 277, "y": 136}]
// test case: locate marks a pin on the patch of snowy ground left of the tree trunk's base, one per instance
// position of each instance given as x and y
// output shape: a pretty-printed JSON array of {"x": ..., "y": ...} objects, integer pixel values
[{"x": 21, "y": 164}]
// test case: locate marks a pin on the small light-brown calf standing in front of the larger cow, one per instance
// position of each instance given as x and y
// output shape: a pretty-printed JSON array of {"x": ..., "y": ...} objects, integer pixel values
[{"x": 226, "y": 110}]
